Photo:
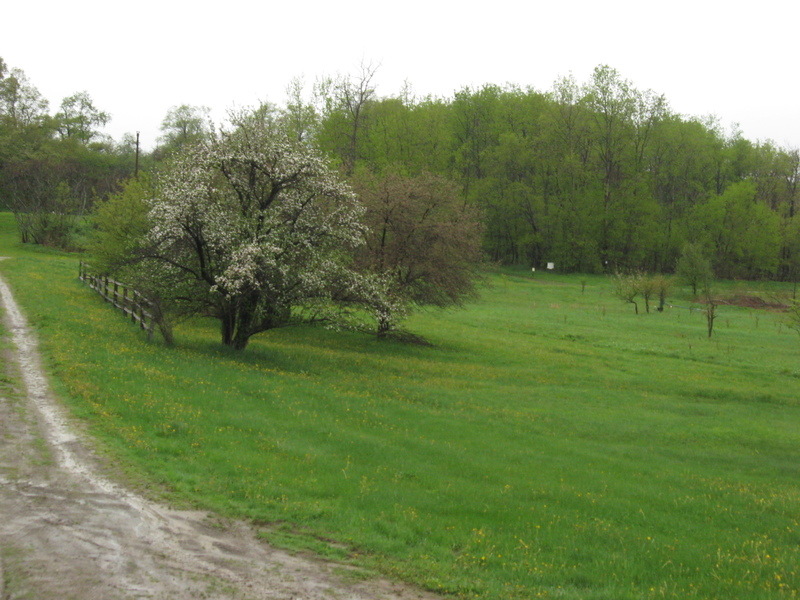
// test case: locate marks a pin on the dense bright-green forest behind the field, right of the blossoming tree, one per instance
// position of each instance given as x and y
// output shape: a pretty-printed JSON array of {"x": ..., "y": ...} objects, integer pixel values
[{"x": 595, "y": 177}]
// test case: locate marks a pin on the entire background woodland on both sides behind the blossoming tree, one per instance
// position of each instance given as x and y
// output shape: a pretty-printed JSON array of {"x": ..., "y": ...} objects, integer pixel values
[{"x": 596, "y": 176}]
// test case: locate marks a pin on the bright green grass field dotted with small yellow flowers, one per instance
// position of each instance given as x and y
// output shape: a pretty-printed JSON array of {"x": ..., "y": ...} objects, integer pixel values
[{"x": 550, "y": 444}]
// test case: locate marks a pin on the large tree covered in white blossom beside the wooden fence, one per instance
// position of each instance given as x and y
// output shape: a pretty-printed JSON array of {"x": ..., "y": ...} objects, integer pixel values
[{"x": 252, "y": 228}]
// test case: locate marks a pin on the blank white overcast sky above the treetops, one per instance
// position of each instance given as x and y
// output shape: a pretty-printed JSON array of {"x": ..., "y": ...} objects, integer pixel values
[{"x": 736, "y": 60}]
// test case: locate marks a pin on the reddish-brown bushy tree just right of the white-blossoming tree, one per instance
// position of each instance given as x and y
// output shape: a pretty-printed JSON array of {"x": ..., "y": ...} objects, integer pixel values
[{"x": 423, "y": 244}]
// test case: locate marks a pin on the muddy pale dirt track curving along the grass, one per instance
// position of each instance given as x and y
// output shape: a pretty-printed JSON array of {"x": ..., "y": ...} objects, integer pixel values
[{"x": 68, "y": 532}]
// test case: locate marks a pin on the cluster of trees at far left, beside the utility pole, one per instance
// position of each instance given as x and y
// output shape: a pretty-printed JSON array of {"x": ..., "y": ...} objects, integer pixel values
[{"x": 53, "y": 166}]
